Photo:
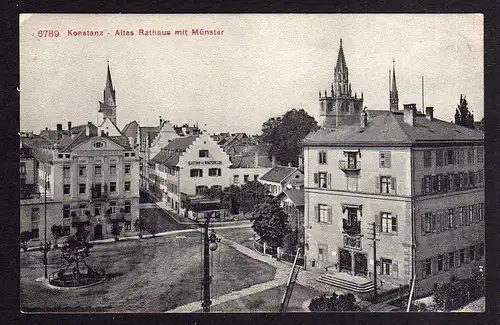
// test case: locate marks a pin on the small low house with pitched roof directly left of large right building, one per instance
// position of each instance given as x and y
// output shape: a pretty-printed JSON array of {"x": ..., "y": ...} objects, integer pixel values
[{"x": 280, "y": 178}]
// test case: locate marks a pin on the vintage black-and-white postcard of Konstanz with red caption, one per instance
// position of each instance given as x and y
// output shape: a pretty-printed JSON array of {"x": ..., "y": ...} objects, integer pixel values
[{"x": 230, "y": 163}]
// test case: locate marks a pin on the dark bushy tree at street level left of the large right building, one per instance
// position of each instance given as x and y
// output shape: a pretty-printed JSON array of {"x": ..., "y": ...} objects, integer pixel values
[{"x": 270, "y": 222}]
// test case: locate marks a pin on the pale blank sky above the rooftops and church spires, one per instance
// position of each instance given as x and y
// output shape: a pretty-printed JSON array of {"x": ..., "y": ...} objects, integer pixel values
[{"x": 262, "y": 66}]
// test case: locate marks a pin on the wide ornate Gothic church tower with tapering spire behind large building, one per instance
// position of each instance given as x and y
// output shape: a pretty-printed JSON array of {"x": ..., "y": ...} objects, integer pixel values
[{"x": 340, "y": 107}]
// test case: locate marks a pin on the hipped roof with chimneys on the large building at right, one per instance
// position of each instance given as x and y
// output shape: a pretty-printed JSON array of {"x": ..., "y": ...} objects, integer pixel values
[{"x": 385, "y": 127}]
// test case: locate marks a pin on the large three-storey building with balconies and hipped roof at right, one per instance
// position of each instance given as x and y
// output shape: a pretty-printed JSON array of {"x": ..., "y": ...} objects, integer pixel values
[{"x": 399, "y": 172}]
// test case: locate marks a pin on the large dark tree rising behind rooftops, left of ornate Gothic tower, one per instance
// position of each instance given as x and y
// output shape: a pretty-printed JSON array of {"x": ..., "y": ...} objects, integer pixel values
[{"x": 285, "y": 135}]
